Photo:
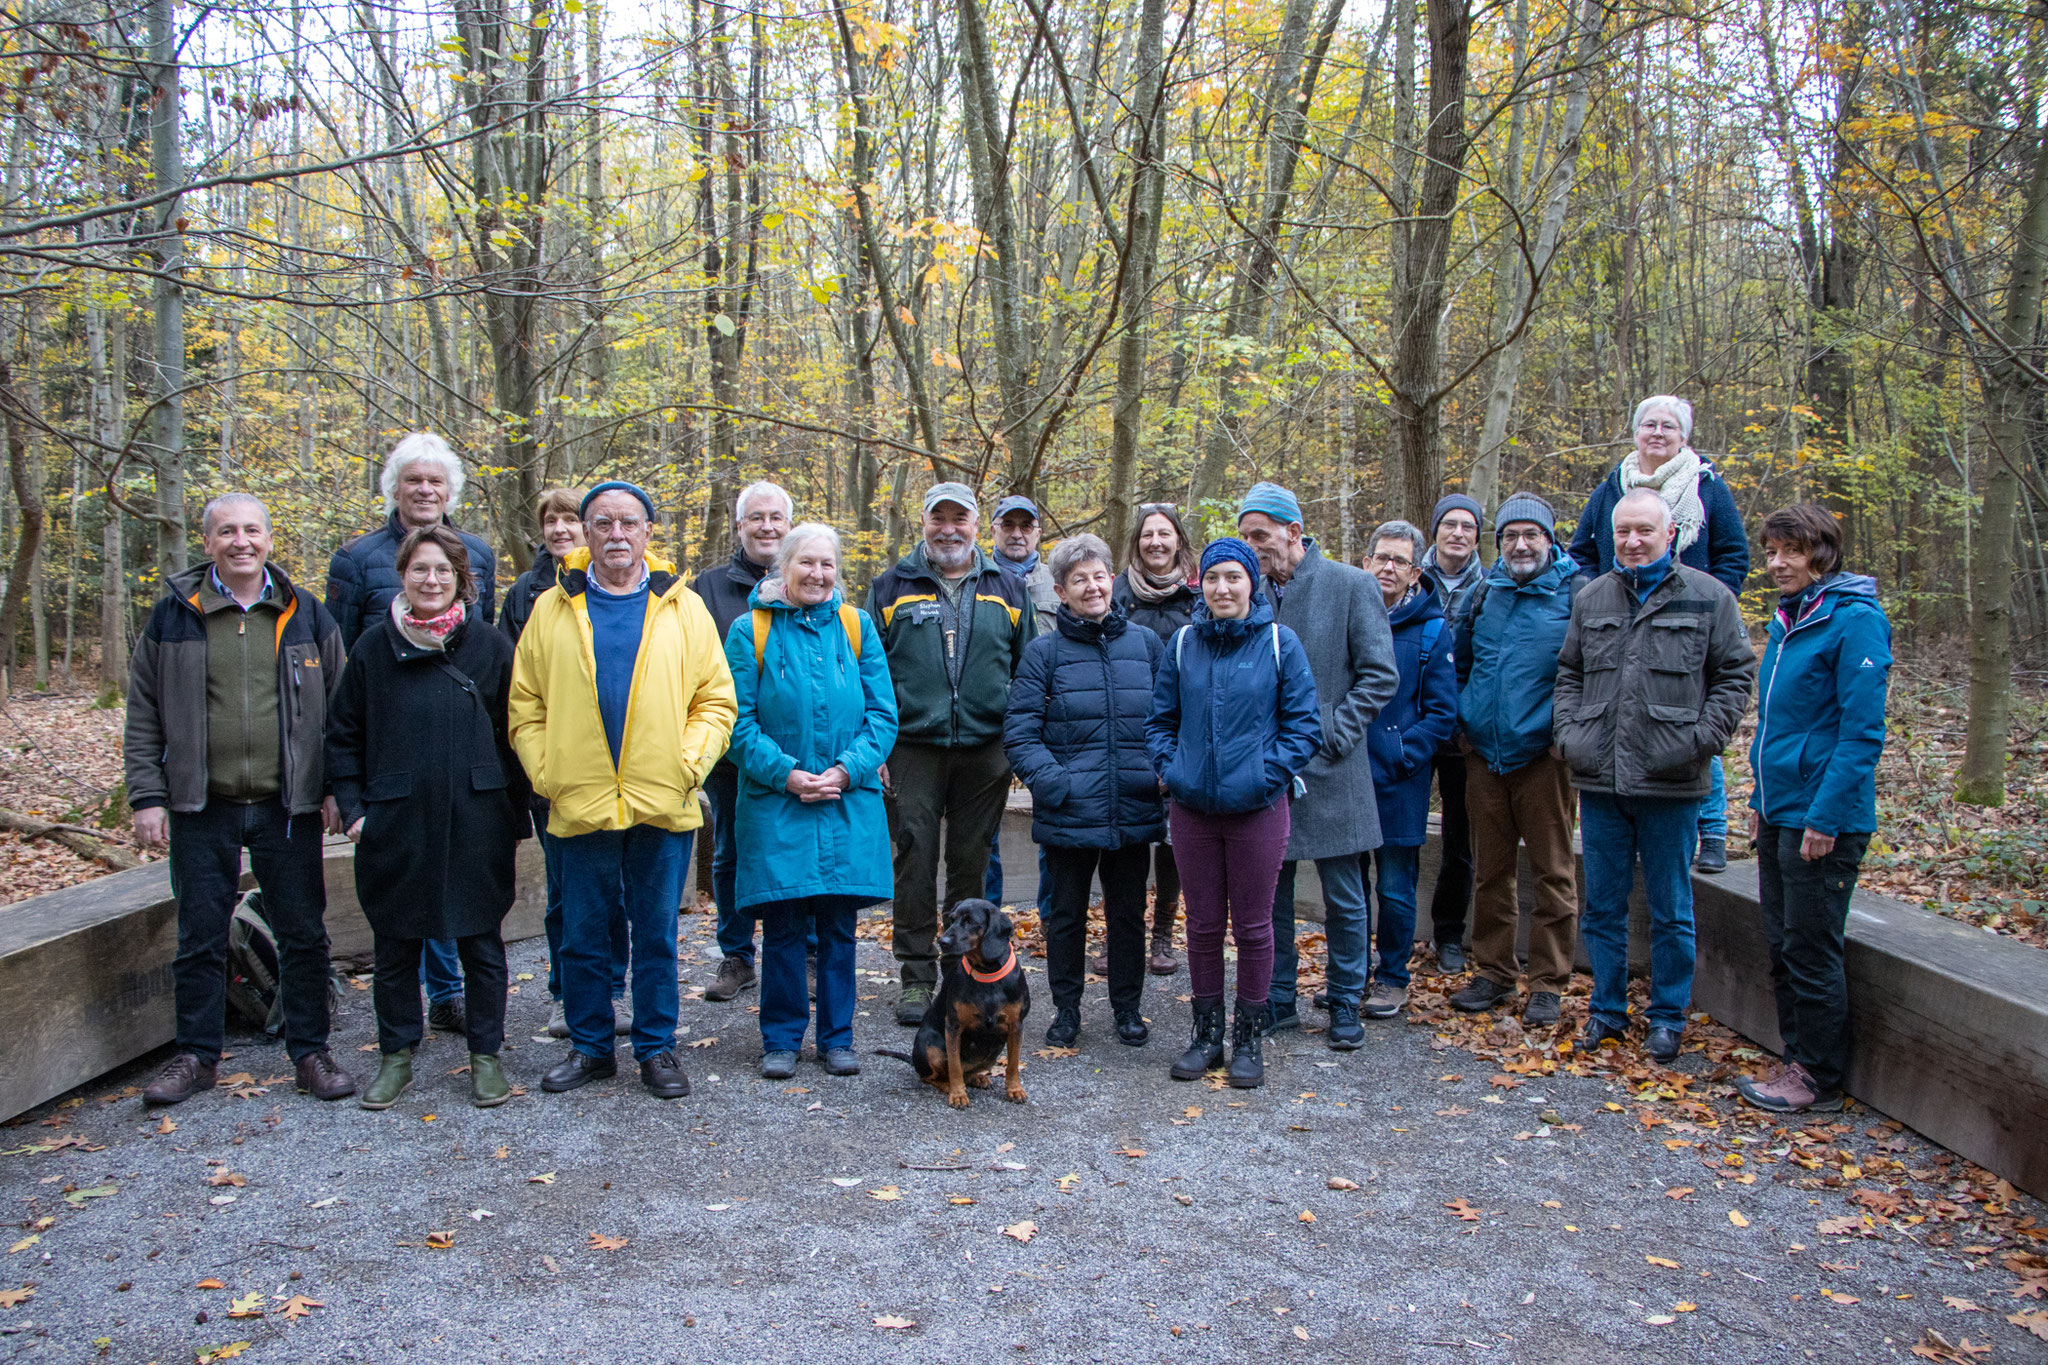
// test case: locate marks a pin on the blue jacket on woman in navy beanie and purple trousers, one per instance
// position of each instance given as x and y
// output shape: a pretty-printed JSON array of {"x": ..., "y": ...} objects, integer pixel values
[{"x": 1234, "y": 713}]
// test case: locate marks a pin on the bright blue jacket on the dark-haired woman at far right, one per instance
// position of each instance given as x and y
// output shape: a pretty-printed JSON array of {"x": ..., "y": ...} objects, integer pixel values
[{"x": 1822, "y": 709}]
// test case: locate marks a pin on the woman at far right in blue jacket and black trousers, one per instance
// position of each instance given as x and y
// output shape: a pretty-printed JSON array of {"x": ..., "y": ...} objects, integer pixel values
[{"x": 1816, "y": 799}]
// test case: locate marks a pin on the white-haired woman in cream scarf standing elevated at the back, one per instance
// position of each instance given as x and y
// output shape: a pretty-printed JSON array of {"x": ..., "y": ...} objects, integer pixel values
[{"x": 1711, "y": 539}]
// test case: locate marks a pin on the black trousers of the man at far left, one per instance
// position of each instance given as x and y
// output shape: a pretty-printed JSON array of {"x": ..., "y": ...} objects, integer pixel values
[{"x": 206, "y": 877}]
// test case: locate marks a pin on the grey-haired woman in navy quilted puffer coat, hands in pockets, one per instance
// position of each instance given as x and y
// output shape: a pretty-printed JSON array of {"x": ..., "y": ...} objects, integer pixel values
[{"x": 1076, "y": 736}]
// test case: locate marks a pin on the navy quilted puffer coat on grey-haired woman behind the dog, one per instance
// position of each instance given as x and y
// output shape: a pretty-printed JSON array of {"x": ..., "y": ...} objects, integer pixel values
[{"x": 1076, "y": 734}]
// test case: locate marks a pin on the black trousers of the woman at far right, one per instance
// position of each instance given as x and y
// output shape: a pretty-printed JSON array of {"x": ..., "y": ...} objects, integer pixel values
[{"x": 1805, "y": 918}]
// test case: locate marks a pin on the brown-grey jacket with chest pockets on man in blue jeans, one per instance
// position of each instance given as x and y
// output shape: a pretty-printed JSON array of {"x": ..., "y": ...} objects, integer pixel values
[{"x": 1648, "y": 695}]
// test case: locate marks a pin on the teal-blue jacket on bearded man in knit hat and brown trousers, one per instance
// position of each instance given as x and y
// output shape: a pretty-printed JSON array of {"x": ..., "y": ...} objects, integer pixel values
[{"x": 1506, "y": 648}]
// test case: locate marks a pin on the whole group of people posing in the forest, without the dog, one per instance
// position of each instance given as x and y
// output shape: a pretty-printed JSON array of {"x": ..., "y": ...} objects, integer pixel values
[{"x": 1193, "y": 719}]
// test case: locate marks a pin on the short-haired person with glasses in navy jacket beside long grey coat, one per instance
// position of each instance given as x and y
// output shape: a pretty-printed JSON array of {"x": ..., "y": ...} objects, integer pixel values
[{"x": 1404, "y": 742}]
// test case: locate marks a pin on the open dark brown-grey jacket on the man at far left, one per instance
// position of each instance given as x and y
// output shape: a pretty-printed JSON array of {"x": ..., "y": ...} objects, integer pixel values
[{"x": 165, "y": 744}]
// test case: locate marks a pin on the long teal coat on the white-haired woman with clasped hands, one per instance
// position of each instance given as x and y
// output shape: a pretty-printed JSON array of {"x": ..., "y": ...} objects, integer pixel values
[{"x": 810, "y": 705}]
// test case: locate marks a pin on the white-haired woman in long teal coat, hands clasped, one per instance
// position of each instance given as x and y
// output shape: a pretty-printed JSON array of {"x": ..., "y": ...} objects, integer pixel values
[{"x": 816, "y": 721}]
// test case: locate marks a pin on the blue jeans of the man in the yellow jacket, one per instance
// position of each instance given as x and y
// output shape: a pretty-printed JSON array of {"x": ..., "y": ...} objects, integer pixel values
[{"x": 607, "y": 873}]
